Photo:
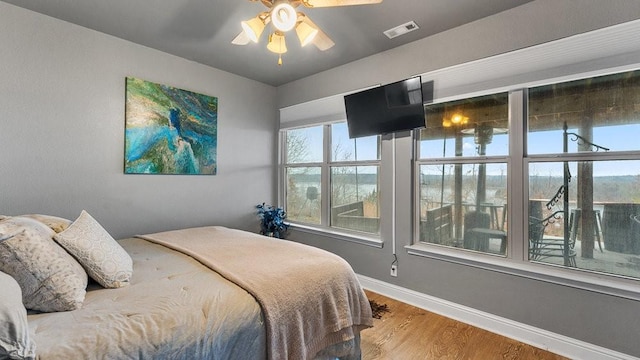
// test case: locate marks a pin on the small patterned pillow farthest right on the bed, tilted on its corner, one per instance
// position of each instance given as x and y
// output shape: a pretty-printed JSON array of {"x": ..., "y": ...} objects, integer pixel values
[{"x": 101, "y": 256}]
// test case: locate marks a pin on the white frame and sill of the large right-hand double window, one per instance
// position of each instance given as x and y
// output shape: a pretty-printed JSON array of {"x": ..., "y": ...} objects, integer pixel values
[{"x": 516, "y": 261}]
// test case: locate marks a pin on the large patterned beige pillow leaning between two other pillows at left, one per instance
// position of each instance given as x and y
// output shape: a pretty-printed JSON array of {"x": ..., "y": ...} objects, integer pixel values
[{"x": 50, "y": 279}]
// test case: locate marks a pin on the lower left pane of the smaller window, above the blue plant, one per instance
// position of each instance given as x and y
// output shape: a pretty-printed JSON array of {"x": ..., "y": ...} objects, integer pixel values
[{"x": 303, "y": 194}]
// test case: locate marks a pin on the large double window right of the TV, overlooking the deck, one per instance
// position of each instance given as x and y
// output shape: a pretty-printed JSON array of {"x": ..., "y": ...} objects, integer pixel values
[{"x": 580, "y": 160}]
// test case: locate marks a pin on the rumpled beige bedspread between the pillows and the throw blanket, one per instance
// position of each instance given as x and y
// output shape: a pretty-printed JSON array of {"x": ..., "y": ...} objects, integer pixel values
[{"x": 174, "y": 309}]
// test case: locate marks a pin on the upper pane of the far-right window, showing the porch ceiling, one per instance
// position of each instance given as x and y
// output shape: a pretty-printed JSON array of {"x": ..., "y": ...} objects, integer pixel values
[{"x": 603, "y": 110}]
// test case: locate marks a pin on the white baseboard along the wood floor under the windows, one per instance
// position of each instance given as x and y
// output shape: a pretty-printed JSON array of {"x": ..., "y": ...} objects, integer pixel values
[{"x": 558, "y": 344}]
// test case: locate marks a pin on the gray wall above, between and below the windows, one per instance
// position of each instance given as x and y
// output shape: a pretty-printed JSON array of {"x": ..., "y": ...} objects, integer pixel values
[{"x": 608, "y": 321}]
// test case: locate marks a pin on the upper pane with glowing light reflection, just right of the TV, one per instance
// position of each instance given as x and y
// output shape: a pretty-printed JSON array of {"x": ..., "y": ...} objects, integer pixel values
[{"x": 469, "y": 127}]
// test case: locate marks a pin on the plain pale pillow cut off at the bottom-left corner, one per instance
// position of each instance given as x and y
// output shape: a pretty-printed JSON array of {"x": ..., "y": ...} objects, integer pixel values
[{"x": 15, "y": 339}]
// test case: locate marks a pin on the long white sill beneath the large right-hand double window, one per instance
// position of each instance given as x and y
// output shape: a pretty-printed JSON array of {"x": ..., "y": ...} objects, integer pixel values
[{"x": 577, "y": 278}]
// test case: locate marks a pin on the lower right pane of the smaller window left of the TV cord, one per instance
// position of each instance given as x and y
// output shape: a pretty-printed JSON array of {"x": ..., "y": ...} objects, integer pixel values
[{"x": 355, "y": 198}]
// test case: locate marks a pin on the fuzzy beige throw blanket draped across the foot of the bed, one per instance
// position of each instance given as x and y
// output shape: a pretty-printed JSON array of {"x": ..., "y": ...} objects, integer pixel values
[{"x": 310, "y": 298}]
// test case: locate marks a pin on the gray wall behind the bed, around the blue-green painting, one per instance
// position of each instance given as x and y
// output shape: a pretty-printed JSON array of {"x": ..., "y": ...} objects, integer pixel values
[{"x": 62, "y": 91}]
